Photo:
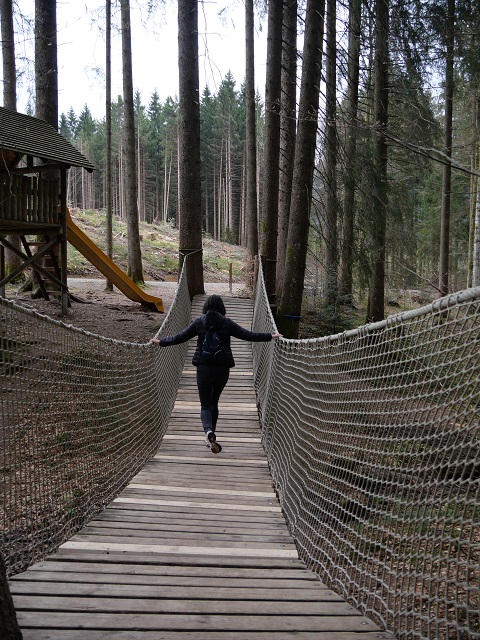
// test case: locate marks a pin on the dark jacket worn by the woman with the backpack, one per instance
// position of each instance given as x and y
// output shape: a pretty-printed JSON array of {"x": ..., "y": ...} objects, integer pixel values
[{"x": 225, "y": 327}]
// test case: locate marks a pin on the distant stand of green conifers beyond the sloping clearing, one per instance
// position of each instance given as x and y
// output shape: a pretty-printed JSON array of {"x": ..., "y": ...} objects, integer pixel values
[{"x": 222, "y": 122}]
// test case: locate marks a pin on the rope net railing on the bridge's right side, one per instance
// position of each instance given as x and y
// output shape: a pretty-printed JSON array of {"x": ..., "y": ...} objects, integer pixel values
[{"x": 373, "y": 442}]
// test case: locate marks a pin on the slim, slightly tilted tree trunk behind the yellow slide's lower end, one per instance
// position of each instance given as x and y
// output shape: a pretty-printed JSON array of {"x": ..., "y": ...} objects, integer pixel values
[{"x": 134, "y": 269}]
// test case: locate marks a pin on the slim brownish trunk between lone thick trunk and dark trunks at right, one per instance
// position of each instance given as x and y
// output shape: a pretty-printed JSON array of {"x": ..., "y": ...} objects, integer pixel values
[{"x": 251, "y": 141}]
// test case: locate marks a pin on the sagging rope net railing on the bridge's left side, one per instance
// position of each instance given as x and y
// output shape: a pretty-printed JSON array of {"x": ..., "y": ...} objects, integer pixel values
[{"x": 80, "y": 416}]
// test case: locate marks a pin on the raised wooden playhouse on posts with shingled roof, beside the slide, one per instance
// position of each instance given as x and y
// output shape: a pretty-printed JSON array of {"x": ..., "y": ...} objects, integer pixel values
[{"x": 34, "y": 160}]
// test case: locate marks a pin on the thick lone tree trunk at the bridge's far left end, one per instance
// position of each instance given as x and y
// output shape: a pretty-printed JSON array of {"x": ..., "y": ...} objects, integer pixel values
[{"x": 190, "y": 201}]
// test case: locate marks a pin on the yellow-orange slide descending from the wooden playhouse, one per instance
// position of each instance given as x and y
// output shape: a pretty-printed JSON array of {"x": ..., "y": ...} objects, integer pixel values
[{"x": 102, "y": 262}]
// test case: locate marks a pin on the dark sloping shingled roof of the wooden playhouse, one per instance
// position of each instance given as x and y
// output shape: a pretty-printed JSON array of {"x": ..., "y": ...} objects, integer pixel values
[{"x": 31, "y": 136}]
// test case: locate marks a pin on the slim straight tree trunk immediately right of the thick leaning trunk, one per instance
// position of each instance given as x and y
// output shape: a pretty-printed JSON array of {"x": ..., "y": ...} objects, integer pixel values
[{"x": 331, "y": 203}]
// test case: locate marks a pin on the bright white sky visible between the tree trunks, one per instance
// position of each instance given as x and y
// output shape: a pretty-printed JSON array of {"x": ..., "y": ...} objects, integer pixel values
[{"x": 81, "y": 51}]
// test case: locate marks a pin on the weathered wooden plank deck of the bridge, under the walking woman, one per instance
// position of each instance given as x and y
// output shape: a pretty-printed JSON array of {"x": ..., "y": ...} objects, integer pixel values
[{"x": 195, "y": 547}]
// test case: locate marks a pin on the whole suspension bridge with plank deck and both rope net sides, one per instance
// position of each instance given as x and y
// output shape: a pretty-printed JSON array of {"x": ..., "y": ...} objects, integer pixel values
[{"x": 345, "y": 503}]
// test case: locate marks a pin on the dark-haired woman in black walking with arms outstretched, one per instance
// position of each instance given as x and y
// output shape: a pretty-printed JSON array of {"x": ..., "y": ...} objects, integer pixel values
[{"x": 213, "y": 358}]
